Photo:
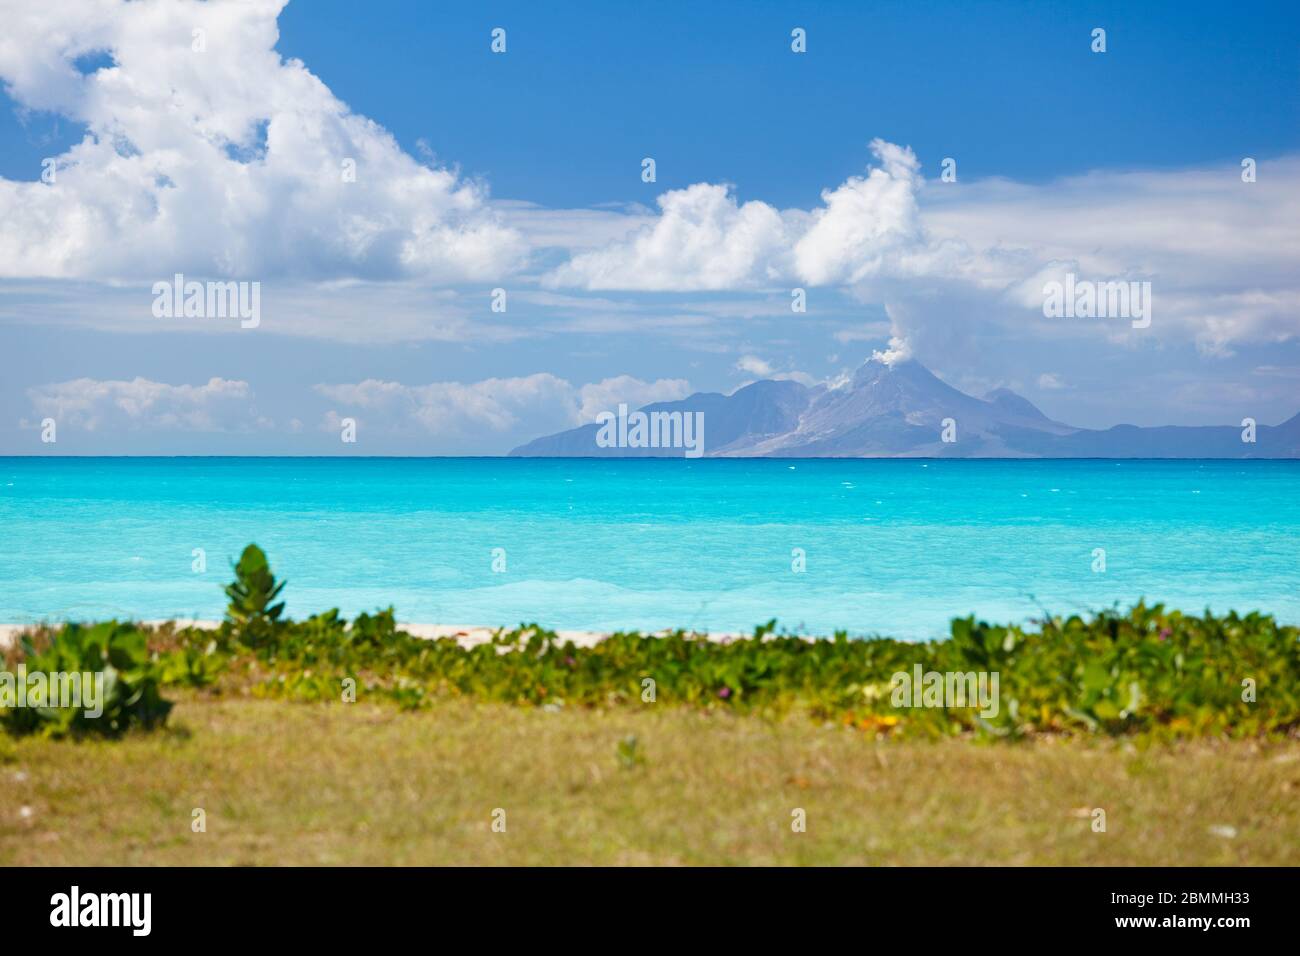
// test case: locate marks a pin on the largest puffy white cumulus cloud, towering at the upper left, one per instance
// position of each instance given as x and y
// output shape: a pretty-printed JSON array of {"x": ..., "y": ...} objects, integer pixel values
[{"x": 224, "y": 161}]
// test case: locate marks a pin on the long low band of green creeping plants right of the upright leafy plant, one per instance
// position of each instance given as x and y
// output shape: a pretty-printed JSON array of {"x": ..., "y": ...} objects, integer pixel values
[{"x": 1146, "y": 672}]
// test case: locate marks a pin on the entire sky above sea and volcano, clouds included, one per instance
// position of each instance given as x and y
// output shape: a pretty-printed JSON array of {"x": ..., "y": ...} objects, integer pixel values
[{"x": 523, "y": 171}]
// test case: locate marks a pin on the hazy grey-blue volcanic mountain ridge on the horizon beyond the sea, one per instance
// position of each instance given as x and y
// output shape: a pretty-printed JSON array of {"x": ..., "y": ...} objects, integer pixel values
[{"x": 904, "y": 410}]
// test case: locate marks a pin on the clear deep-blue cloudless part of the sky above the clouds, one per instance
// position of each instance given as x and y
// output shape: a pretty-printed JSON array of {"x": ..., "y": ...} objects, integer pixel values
[{"x": 714, "y": 94}]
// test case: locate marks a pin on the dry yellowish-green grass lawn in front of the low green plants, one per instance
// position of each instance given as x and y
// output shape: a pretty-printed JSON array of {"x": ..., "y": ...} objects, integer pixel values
[{"x": 336, "y": 784}]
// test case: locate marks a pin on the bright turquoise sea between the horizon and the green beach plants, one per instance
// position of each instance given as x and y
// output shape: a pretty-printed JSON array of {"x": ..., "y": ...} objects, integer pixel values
[{"x": 891, "y": 547}]
